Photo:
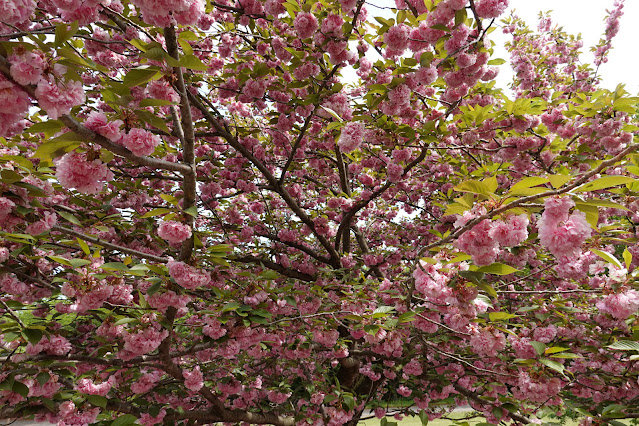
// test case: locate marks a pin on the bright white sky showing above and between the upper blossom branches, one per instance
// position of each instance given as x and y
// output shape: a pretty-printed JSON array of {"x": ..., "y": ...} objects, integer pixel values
[{"x": 585, "y": 17}]
